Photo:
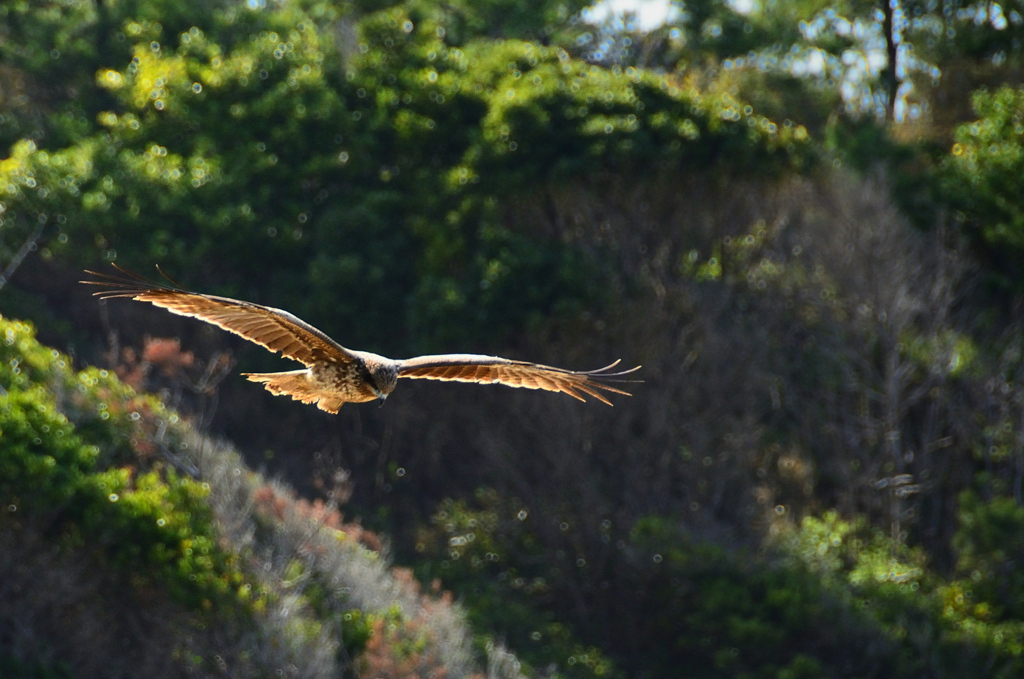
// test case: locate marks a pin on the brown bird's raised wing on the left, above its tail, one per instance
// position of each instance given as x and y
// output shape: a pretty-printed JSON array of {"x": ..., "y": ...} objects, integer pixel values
[{"x": 274, "y": 329}]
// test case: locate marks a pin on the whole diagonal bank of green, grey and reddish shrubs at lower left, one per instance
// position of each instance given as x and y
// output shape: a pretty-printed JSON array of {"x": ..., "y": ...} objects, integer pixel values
[{"x": 91, "y": 468}]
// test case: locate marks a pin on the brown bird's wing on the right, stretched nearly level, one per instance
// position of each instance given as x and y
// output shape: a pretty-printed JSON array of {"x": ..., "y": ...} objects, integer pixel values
[{"x": 487, "y": 370}]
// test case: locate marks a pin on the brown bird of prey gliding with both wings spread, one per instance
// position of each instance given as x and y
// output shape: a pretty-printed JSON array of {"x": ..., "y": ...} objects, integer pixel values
[{"x": 334, "y": 375}]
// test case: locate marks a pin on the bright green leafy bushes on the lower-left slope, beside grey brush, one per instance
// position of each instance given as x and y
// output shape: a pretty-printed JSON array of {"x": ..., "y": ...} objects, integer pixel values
[{"x": 154, "y": 526}]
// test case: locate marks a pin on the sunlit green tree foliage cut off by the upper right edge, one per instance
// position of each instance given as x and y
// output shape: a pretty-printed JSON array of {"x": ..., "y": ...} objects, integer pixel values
[{"x": 984, "y": 177}]
